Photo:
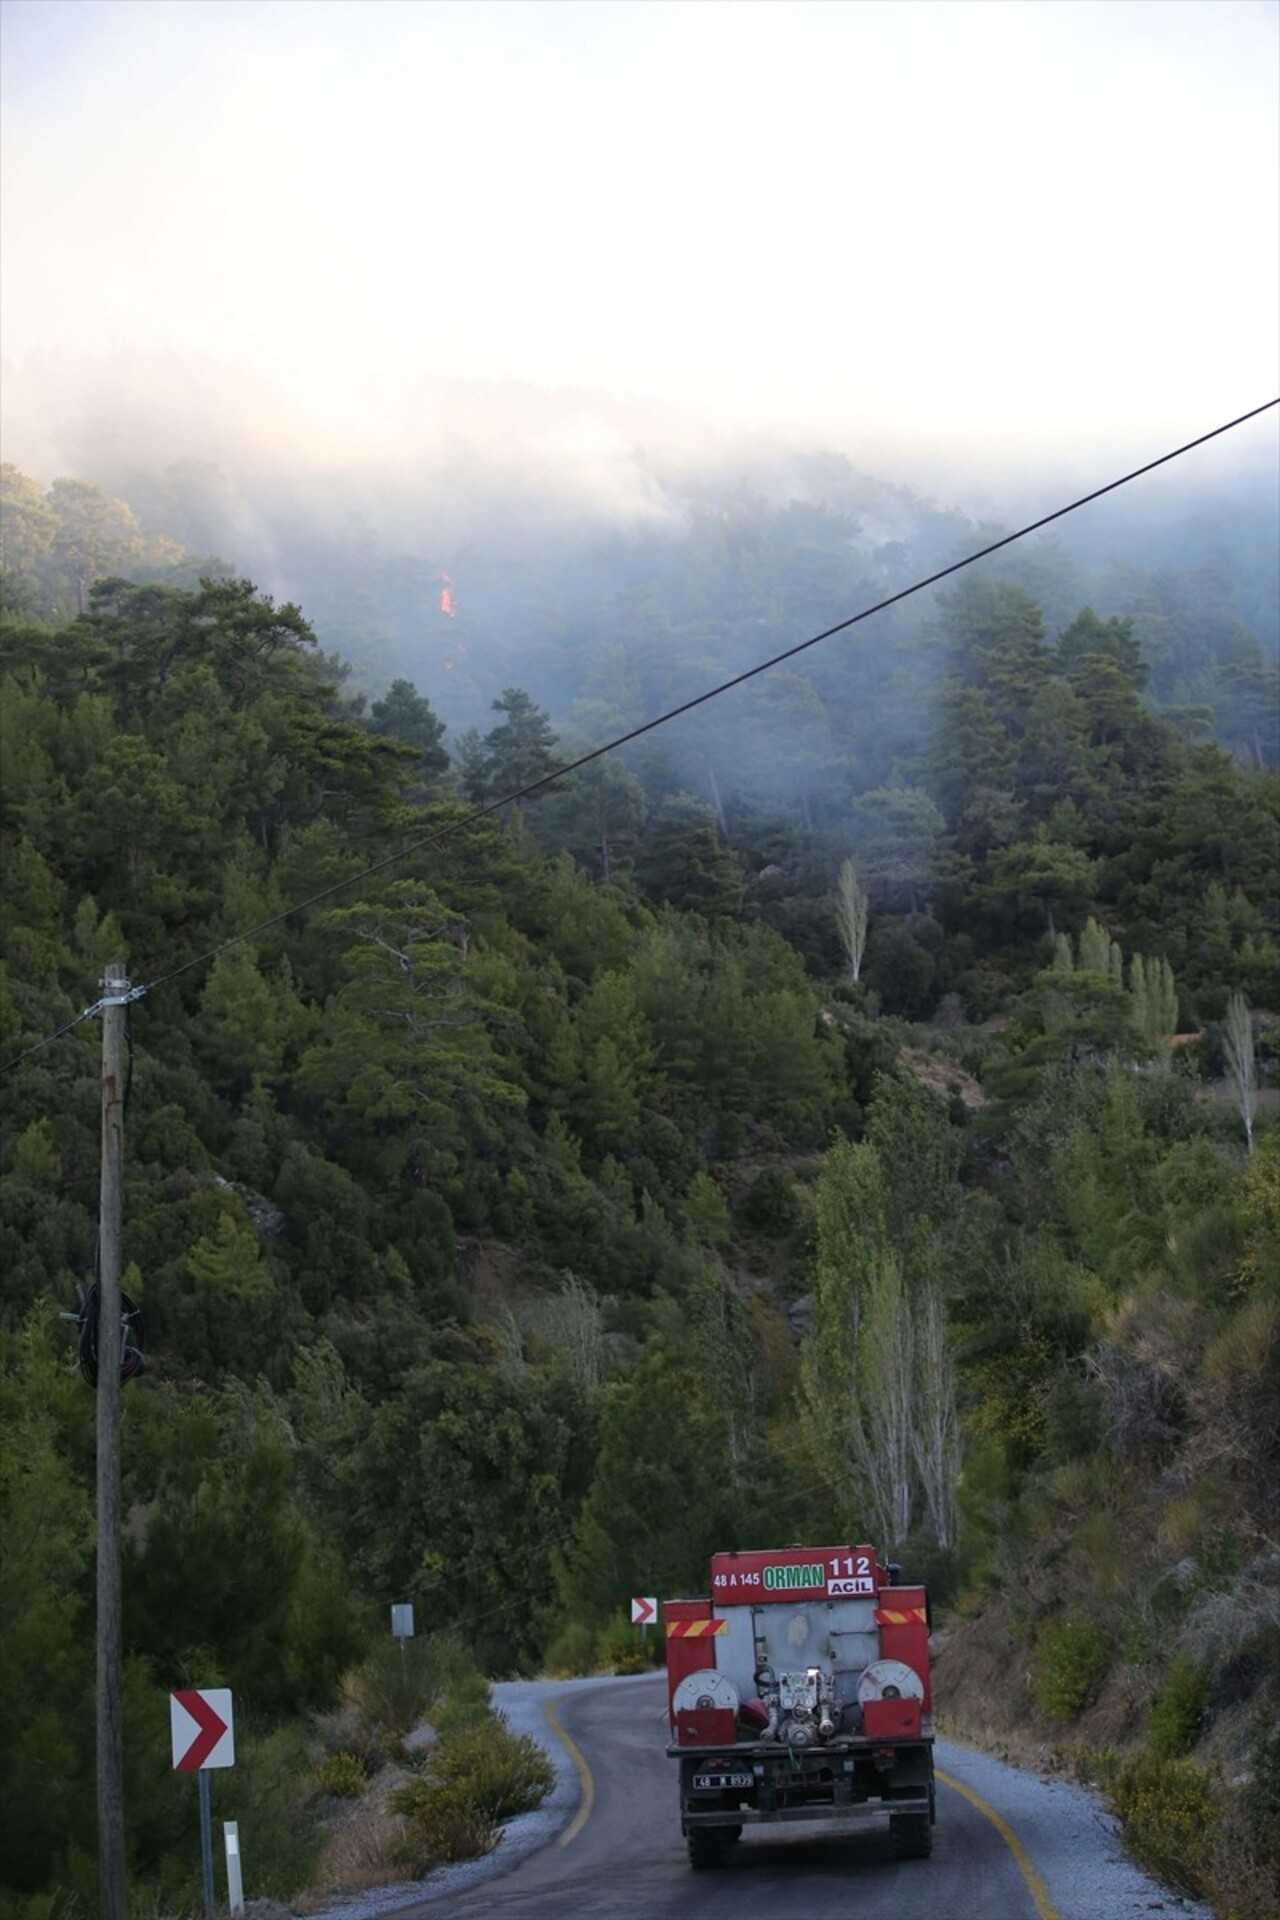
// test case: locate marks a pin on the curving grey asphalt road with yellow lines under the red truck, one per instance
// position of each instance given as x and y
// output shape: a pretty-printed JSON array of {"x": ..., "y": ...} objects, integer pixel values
[{"x": 1043, "y": 1854}]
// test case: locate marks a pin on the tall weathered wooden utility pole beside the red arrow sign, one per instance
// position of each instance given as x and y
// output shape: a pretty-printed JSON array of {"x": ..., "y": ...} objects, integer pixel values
[{"x": 110, "y": 1345}]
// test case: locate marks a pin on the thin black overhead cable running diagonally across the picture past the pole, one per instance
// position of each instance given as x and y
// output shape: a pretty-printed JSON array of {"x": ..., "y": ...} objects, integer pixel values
[{"x": 675, "y": 713}]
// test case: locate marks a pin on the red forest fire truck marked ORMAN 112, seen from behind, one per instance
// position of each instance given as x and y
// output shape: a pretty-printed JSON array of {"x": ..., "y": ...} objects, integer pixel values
[{"x": 799, "y": 1691}]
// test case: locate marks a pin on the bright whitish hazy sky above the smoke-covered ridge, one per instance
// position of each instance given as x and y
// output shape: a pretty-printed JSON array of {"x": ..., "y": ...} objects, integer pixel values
[{"x": 1024, "y": 226}]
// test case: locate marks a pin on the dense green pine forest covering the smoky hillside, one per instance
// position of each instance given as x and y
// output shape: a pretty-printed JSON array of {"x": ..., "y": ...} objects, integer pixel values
[{"x": 849, "y": 1113}]
